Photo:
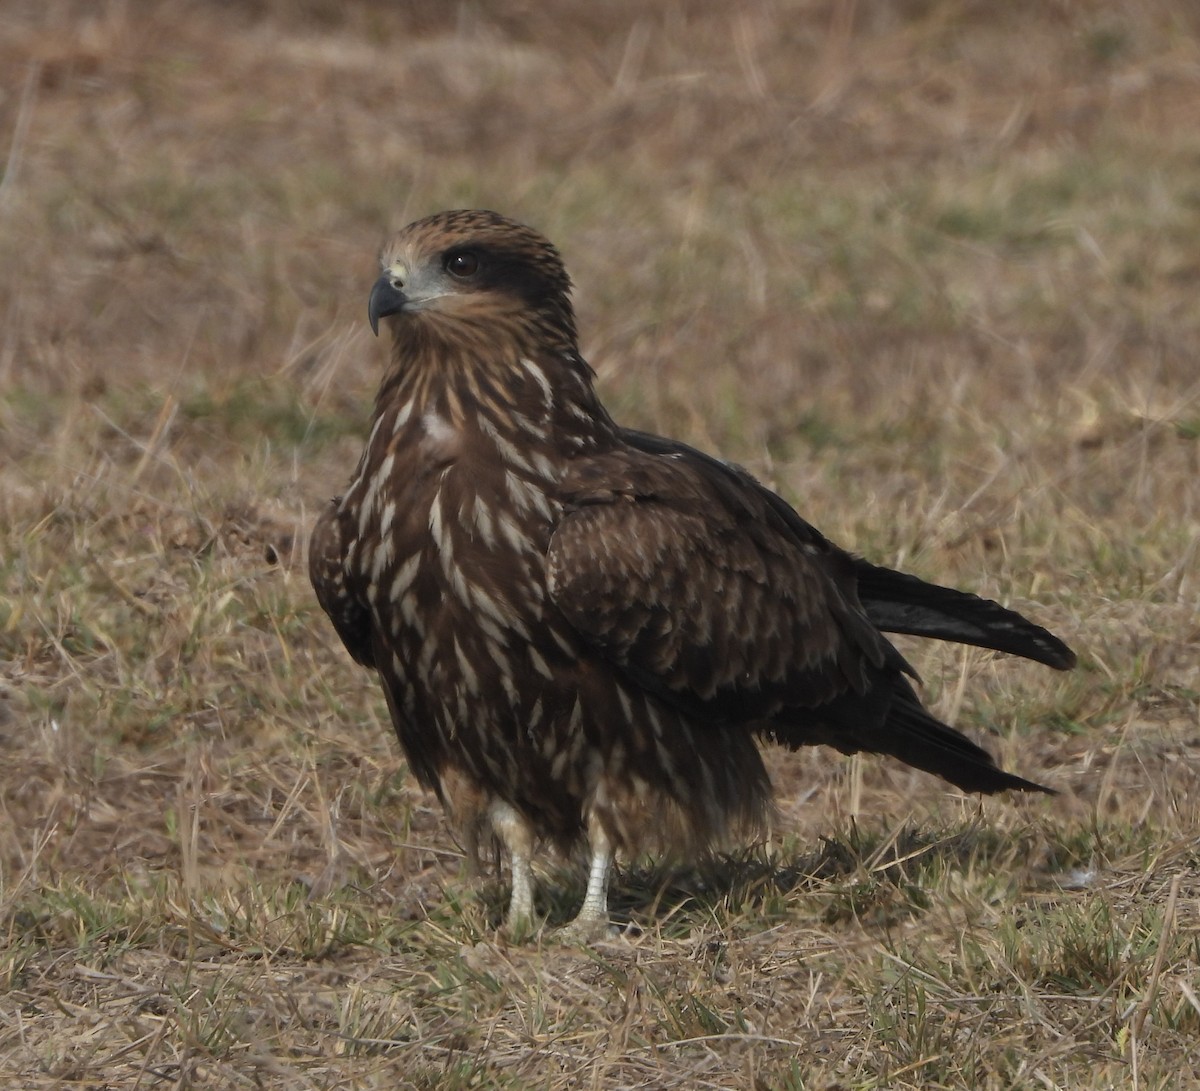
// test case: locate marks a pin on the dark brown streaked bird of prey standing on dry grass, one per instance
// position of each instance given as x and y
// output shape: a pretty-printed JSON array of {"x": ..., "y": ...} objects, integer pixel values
[{"x": 584, "y": 631}]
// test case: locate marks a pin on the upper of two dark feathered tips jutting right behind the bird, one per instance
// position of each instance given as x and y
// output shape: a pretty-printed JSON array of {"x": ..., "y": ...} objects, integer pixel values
[{"x": 899, "y": 603}]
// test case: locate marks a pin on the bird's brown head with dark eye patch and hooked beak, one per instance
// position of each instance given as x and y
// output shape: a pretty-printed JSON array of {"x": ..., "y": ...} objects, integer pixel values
[{"x": 473, "y": 275}]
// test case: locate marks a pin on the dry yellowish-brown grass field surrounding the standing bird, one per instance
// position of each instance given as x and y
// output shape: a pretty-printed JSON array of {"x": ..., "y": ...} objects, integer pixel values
[{"x": 929, "y": 268}]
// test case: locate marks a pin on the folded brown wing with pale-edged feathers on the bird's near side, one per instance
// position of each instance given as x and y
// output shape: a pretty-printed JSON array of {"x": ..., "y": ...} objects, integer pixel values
[{"x": 694, "y": 589}]
